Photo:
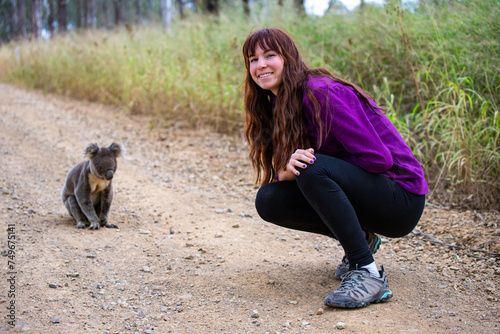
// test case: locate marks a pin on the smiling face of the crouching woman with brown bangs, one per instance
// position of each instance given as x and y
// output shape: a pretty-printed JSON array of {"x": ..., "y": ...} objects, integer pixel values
[{"x": 266, "y": 69}]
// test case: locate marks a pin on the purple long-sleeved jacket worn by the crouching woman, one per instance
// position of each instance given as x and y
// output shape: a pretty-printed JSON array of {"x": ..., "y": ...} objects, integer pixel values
[{"x": 360, "y": 136}]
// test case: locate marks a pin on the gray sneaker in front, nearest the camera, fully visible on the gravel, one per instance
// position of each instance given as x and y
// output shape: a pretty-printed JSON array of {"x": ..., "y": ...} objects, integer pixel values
[{"x": 358, "y": 288}]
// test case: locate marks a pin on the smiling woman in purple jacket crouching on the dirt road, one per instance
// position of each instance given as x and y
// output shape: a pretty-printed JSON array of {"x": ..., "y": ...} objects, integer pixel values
[{"x": 329, "y": 161}]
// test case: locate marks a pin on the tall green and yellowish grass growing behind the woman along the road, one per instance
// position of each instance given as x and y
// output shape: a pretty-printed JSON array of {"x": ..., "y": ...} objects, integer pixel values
[{"x": 193, "y": 73}]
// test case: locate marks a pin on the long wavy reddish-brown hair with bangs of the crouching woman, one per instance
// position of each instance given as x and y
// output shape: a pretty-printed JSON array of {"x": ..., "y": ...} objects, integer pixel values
[{"x": 275, "y": 127}]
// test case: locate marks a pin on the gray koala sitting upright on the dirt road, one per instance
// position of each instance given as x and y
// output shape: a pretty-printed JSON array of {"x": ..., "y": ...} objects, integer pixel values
[{"x": 88, "y": 191}]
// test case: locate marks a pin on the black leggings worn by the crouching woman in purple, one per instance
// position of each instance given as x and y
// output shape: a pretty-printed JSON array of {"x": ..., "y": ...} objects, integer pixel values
[{"x": 338, "y": 199}]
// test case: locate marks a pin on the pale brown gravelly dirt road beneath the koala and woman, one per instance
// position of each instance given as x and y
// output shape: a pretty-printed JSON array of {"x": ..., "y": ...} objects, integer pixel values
[{"x": 191, "y": 255}]
